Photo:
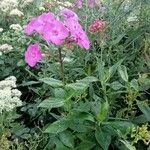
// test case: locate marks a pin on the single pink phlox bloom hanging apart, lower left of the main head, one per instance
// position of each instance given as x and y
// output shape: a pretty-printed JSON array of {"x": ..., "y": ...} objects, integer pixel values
[{"x": 33, "y": 55}]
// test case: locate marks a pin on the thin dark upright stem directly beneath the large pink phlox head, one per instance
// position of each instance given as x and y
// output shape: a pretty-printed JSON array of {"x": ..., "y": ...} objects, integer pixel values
[{"x": 61, "y": 65}]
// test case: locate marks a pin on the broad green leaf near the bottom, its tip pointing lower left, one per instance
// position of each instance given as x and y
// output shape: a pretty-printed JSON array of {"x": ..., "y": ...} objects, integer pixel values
[{"x": 57, "y": 126}]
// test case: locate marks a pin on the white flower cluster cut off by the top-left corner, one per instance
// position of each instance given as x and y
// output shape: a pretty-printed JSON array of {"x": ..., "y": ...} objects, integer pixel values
[{"x": 6, "y": 5}]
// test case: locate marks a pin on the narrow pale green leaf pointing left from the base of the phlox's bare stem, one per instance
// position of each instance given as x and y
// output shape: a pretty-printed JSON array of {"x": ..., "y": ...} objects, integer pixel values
[{"x": 52, "y": 82}]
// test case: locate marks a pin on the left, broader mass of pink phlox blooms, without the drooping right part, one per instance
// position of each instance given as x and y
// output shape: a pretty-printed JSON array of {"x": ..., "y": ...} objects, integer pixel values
[{"x": 51, "y": 29}]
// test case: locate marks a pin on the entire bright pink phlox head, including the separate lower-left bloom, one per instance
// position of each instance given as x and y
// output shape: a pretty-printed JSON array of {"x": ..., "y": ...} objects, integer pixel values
[{"x": 55, "y": 31}]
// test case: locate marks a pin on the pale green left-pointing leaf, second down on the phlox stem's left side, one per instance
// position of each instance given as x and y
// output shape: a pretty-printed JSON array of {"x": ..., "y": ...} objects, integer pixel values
[{"x": 52, "y": 103}]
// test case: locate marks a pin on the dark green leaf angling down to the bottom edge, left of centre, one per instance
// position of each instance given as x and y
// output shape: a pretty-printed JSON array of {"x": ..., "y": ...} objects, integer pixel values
[{"x": 67, "y": 139}]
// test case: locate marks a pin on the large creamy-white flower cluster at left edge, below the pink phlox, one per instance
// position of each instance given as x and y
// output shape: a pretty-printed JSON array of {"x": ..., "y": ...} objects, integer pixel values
[{"x": 9, "y": 95}]
